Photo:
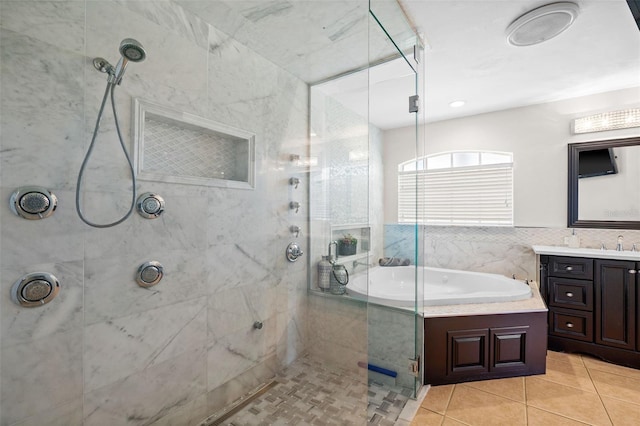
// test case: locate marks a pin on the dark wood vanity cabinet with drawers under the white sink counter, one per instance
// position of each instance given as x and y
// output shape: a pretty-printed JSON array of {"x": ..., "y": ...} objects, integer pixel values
[{"x": 594, "y": 306}]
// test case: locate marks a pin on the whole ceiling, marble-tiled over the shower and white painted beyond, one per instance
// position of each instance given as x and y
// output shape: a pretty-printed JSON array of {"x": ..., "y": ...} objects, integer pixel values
[{"x": 466, "y": 58}]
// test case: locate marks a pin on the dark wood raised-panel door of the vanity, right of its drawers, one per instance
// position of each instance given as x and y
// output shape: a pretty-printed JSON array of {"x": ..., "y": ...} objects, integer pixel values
[{"x": 615, "y": 308}]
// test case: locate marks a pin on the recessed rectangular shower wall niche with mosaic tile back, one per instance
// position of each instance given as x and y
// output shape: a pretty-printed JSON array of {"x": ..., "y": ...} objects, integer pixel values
[{"x": 176, "y": 147}]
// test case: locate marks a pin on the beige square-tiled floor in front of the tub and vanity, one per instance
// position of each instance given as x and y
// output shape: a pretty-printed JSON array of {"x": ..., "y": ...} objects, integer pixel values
[{"x": 576, "y": 390}]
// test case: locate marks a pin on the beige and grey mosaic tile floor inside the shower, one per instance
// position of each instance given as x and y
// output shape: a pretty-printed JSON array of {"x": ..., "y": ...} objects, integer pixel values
[{"x": 309, "y": 393}]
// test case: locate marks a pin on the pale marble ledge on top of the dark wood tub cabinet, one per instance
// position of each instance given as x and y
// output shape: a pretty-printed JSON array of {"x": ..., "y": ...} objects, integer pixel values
[{"x": 533, "y": 304}]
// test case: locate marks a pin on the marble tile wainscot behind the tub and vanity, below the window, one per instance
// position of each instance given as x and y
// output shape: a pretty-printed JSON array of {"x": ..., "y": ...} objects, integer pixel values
[{"x": 504, "y": 251}]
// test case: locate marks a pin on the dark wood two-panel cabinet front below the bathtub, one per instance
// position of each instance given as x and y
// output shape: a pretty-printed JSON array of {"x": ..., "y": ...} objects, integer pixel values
[{"x": 480, "y": 347}]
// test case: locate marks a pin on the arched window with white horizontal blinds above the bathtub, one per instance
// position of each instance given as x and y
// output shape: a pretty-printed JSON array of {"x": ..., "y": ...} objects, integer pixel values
[{"x": 470, "y": 188}]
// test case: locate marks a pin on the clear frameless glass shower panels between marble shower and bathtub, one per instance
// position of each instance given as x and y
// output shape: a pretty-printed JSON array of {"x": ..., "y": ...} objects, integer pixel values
[{"x": 347, "y": 137}]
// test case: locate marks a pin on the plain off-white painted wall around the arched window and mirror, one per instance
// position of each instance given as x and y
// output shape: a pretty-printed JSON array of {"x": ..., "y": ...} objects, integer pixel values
[{"x": 537, "y": 135}]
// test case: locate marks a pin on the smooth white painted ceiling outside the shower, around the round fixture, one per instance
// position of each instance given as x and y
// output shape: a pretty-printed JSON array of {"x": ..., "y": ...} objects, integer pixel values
[{"x": 468, "y": 58}]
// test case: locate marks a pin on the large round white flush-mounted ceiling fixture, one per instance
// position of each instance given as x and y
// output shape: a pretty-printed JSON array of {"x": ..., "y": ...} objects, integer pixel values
[{"x": 542, "y": 23}]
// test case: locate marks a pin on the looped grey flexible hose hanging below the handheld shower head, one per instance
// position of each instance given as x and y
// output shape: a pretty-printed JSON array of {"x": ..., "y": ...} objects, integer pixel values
[{"x": 109, "y": 91}]
